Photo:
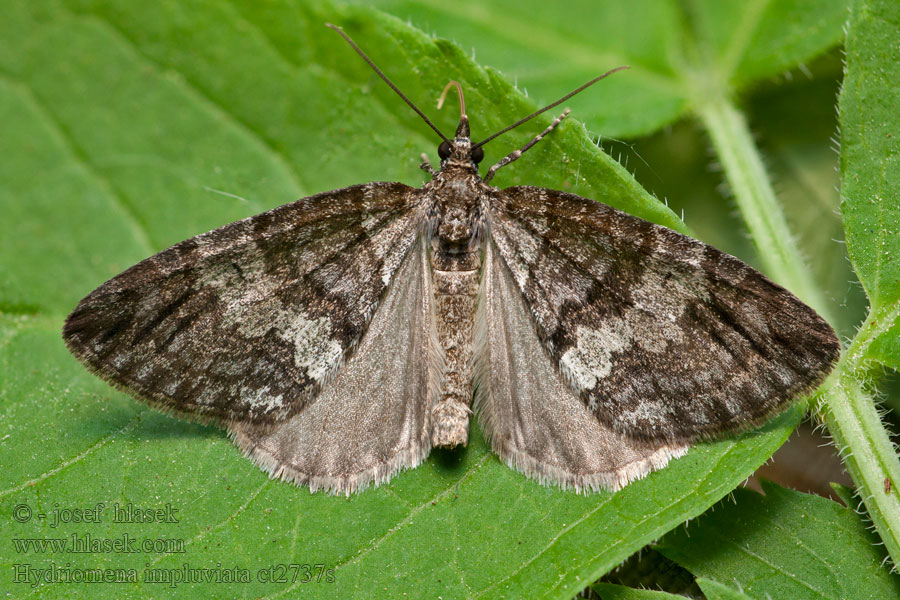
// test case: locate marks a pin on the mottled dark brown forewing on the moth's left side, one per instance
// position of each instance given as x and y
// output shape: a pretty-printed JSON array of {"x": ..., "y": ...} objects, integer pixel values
[{"x": 248, "y": 321}]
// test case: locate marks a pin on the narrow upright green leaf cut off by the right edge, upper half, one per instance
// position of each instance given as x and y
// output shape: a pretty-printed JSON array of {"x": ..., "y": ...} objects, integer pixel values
[{"x": 870, "y": 169}]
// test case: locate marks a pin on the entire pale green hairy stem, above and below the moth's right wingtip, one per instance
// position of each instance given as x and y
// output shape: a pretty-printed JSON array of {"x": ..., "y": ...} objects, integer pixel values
[{"x": 848, "y": 411}]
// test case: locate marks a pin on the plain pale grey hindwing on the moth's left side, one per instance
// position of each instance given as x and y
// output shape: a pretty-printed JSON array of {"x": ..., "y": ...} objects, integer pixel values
[{"x": 373, "y": 418}]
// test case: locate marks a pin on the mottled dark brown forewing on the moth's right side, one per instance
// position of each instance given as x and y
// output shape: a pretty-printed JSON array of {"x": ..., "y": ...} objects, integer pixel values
[{"x": 662, "y": 337}]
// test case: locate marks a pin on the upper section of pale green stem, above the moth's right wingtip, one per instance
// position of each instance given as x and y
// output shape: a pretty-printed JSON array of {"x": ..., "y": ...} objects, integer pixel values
[{"x": 755, "y": 198}]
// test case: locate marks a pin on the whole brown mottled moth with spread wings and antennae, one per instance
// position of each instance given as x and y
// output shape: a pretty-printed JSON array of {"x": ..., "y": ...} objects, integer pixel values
[{"x": 342, "y": 337}]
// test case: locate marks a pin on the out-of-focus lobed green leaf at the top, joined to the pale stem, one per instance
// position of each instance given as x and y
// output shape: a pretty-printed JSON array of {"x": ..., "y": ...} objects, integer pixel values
[{"x": 677, "y": 50}]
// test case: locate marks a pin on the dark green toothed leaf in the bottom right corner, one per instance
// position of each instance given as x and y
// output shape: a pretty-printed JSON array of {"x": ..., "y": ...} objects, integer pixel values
[{"x": 784, "y": 545}]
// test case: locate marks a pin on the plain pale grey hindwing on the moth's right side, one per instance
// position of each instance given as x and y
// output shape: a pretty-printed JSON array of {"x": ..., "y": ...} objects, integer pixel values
[{"x": 531, "y": 418}]
